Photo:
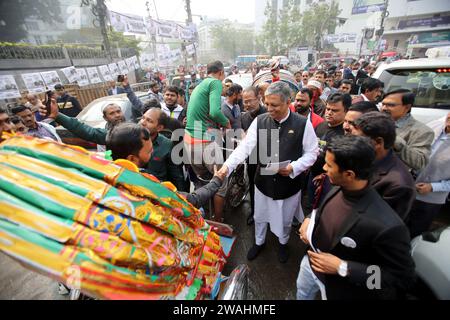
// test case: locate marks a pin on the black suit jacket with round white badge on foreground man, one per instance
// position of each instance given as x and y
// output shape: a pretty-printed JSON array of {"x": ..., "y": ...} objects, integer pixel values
[{"x": 382, "y": 240}]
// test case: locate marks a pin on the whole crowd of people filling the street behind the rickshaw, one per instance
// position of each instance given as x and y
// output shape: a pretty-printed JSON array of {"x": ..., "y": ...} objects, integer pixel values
[{"x": 340, "y": 159}]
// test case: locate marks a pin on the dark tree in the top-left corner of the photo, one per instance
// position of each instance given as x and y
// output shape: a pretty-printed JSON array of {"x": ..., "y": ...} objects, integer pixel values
[{"x": 14, "y": 13}]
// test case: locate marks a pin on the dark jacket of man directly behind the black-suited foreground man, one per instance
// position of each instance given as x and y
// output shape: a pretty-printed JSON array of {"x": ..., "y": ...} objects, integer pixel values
[{"x": 395, "y": 185}]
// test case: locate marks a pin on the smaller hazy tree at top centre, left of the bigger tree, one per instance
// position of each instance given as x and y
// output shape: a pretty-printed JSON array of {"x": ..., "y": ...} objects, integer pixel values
[{"x": 231, "y": 41}]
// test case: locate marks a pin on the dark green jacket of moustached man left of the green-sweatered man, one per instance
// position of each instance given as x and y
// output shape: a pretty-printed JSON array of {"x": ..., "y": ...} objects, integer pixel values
[{"x": 161, "y": 165}]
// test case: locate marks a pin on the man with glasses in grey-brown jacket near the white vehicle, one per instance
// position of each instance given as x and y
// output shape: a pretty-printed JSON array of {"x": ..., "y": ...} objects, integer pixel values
[{"x": 414, "y": 139}]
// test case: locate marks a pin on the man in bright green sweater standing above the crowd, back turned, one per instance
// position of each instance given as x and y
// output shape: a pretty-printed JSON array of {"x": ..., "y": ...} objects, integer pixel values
[{"x": 204, "y": 120}]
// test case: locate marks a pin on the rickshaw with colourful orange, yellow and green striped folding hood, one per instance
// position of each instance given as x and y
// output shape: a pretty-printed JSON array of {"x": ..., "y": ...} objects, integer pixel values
[{"x": 107, "y": 231}]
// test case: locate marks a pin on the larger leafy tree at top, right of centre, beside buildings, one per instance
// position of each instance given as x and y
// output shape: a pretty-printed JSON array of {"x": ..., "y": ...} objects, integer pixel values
[{"x": 288, "y": 28}]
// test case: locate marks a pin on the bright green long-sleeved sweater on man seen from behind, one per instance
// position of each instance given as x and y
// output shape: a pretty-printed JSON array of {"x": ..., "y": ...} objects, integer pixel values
[{"x": 205, "y": 107}]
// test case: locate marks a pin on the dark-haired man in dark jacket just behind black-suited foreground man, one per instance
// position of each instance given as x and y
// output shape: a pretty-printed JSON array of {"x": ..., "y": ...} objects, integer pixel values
[{"x": 391, "y": 178}]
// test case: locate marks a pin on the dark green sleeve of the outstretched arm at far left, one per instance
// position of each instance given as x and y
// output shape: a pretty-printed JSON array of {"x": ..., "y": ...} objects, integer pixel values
[{"x": 82, "y": 130}]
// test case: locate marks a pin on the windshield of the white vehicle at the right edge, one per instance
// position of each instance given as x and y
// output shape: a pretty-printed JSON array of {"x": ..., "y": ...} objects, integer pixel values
[{"x": 432, "y": 88}]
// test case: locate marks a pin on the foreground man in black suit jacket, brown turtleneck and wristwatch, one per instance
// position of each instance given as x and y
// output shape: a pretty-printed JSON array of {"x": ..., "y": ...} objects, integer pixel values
[{"x": 360, "y": 248}]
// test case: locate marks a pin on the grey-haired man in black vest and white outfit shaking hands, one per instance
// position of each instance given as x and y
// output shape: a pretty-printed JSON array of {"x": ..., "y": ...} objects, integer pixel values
[{"x": 287, "y": 146}]
